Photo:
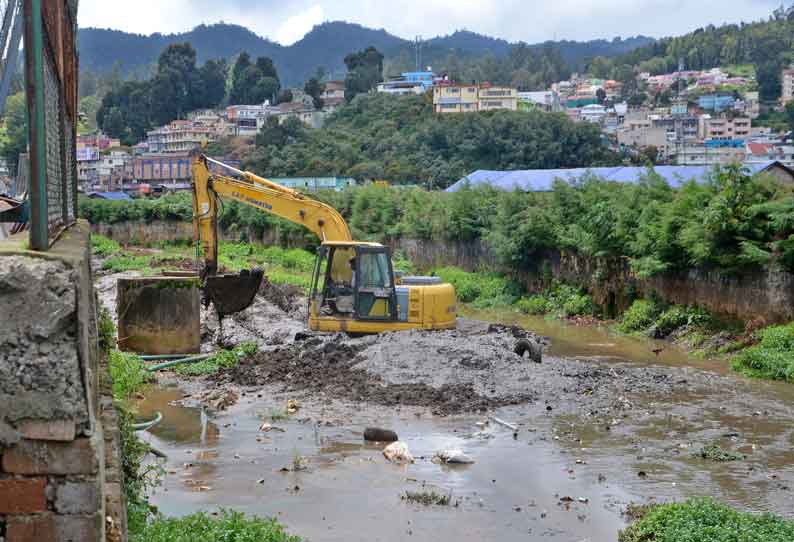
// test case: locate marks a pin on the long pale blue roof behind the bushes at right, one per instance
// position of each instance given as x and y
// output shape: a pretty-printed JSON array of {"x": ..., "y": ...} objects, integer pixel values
[{"x": 542, "y": 180}]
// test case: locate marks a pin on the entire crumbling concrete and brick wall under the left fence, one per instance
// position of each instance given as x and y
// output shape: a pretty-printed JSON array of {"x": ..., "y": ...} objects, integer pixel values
[{"x": 55, "y": 417}]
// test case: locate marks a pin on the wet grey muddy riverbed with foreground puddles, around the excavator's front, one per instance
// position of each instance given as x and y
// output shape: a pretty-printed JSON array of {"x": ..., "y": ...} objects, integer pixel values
[{"x": 609, "y": 428}]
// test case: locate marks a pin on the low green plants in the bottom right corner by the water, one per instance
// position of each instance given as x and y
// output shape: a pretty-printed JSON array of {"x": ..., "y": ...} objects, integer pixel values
[{"x": 706, "y": 520}]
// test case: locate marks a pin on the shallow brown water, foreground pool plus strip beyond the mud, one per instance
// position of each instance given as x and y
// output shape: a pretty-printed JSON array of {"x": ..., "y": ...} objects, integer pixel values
[{"x": 518, "y": 487}]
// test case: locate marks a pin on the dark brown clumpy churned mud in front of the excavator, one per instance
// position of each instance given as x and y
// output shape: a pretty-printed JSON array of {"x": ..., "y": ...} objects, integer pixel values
[{"x": 335, "y": 367}]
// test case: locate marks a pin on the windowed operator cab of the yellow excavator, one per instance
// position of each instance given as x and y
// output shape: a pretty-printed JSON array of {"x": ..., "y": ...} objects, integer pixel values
[{"x": 354, "y": 281}]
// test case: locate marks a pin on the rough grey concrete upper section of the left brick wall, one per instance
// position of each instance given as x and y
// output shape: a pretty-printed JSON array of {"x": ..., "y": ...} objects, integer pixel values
[{"x": 40, "y": 374}]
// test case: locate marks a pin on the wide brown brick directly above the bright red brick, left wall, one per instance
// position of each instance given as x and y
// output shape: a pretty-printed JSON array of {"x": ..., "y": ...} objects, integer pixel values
[{"x": 45, "y": 457}]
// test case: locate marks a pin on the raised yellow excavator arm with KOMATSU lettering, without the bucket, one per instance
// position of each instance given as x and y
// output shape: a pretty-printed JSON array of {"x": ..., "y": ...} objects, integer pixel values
[{"x": 265, "y": 195}]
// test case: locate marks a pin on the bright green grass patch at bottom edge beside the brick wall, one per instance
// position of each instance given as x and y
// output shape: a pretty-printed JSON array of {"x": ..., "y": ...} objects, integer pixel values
[{"x": 230, "y": 526}]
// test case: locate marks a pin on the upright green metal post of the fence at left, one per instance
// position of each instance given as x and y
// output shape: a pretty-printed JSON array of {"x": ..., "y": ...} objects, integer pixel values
[{"x": 34, "y": 87}]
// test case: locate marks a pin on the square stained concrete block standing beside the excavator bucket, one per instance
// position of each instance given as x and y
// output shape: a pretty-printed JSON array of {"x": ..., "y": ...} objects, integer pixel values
[{"x": 159, "y": 315}]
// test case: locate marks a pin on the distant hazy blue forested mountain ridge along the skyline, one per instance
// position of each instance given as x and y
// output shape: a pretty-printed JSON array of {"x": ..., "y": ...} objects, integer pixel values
[{"x": 326, "y": 45}]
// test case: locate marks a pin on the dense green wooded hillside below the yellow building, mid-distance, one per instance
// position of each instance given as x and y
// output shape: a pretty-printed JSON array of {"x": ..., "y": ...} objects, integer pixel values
[{"x": 398, "y": 138}]
